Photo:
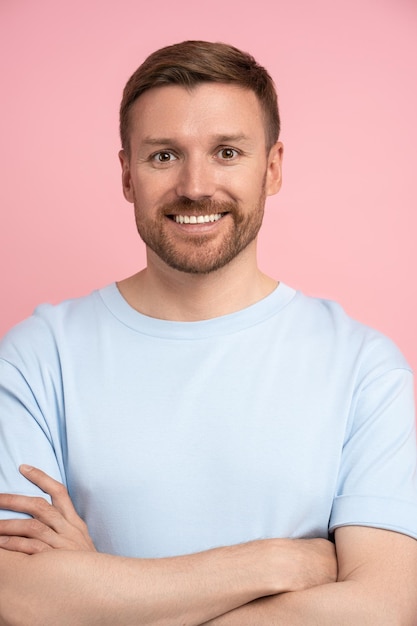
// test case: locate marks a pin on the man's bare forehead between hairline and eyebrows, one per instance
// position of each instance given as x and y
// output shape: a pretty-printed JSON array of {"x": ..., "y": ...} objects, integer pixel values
[{"x": 208, "y": 108}]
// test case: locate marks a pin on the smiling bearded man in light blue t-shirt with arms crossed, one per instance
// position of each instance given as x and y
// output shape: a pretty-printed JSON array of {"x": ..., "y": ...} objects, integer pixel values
[{"x": 214, "y": 428}]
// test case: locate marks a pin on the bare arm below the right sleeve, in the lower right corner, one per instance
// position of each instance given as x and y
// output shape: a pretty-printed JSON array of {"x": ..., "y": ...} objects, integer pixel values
[{"x": 376, "y": 585}]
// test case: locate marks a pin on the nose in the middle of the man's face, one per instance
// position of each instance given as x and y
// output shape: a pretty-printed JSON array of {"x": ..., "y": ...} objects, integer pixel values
[{"x": 196, "y": 179}]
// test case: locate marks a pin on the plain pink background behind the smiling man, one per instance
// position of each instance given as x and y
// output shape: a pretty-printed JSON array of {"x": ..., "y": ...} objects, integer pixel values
[{"x": 344, "y": 225}]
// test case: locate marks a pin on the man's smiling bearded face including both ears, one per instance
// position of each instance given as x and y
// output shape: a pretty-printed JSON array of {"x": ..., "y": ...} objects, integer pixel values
[{"x": 199, "y": 173}]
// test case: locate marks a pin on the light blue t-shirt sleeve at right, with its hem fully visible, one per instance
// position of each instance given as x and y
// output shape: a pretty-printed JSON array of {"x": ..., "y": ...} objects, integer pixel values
[{"x": 377, "y": 482}]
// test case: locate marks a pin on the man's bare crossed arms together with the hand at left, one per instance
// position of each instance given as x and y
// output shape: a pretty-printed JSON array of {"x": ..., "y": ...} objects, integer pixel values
[{"x": 50, "y": 573}]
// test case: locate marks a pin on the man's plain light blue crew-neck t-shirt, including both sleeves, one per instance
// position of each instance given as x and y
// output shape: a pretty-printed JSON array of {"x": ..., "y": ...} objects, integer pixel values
[{"x": 285, "y": 419}]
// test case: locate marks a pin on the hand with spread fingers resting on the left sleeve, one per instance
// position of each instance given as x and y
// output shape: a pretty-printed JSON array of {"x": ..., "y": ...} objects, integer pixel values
[{"x": 55, "y": 526}]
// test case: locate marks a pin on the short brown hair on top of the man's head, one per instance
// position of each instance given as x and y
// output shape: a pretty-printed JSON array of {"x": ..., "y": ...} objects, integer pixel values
[{"x": 192, "y": 62}]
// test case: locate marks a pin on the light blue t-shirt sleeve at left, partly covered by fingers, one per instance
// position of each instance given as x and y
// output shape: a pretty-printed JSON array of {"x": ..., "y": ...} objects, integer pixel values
[{"x": 30, "y": 430}]
